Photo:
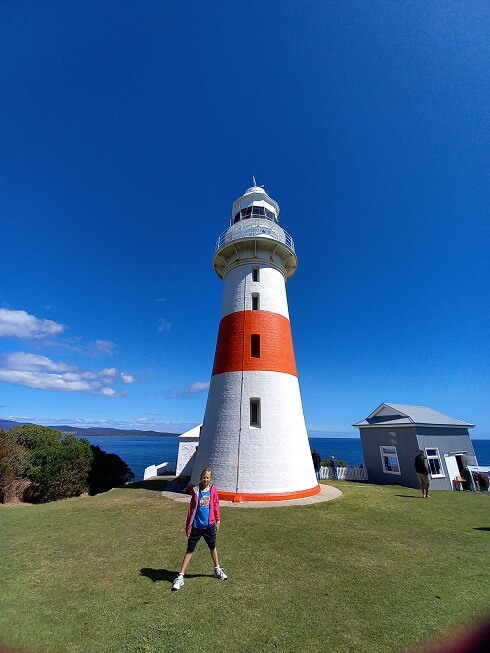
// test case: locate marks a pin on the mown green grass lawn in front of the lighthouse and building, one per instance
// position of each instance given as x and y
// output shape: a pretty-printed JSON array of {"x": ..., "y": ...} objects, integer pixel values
[{"x": 377, "y": 570}]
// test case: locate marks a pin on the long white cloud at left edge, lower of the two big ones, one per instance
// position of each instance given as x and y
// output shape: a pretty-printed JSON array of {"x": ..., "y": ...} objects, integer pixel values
[{"x": 40, "y": 372}]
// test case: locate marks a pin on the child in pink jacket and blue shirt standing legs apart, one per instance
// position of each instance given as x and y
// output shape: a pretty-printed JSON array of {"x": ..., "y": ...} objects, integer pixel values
[{"x": 203, "y": 520}]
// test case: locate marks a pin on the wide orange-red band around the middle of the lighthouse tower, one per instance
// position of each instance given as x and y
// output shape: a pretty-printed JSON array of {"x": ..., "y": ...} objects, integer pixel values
[{"x": 234, "y": 346}]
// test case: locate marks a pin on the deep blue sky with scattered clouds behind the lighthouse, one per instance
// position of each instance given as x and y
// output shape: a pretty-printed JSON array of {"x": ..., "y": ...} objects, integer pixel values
[{"x": 127, "y": 131}]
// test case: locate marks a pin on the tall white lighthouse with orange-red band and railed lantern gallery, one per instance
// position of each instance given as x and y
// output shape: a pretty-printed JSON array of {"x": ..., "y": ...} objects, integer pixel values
[{"x": 253, "y": 434}]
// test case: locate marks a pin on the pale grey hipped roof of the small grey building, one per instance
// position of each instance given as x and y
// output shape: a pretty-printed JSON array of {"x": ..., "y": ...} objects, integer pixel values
[{"x": 404, "y": 415}]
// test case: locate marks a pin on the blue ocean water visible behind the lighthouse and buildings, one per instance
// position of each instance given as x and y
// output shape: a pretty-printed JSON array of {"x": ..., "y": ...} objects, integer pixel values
[{"x": 140, "y": 451}]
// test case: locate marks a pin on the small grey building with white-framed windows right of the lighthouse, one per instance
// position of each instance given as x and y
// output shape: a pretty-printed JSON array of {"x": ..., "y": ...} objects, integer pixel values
[{"x": 393, "y": 434}]
